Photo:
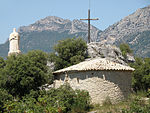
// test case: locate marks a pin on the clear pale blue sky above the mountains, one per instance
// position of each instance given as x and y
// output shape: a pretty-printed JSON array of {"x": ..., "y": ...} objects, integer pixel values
[{"x": 16, "y": 13}]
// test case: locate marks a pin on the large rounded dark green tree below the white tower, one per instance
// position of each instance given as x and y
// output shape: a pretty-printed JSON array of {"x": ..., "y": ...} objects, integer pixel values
[{"x": 25, "y": 72}]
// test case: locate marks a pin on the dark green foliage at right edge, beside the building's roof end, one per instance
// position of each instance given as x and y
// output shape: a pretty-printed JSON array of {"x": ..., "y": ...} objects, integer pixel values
[{"x": 141, "y": 75}]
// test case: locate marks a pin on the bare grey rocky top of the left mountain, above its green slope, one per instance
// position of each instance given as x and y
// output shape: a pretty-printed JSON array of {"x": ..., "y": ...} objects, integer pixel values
[{"x": 57, "y": 24}]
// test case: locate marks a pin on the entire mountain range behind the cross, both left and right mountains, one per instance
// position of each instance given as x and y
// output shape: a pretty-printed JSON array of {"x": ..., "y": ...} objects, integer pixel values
[{"x": 43, "y": 34}]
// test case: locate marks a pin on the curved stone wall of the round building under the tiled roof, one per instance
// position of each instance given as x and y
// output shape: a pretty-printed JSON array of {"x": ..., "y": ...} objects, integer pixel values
[{"x": 114, "y": 85}]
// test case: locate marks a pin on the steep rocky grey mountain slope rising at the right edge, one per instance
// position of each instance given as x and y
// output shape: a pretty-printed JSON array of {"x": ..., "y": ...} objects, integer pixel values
[{"x": 133, "y": 29}]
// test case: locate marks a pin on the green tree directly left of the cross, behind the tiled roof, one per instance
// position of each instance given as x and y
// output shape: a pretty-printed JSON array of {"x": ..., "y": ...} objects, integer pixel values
[{"x": 68, "y": 52}]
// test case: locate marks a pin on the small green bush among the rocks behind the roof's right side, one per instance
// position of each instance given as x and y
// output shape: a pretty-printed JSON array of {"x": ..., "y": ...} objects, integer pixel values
[{"x": 125, "y": 49}]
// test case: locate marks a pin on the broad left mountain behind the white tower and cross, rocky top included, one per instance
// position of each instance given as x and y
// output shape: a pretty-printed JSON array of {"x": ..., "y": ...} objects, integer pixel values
[{"x": 44, "y": 33}]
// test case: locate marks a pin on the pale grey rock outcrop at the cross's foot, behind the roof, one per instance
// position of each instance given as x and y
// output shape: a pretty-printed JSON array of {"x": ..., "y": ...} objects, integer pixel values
[{"x": 108, "y": 51}]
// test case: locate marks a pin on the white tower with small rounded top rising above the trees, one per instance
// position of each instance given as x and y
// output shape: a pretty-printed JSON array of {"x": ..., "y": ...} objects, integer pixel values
[{"x": 14, "y": 39}]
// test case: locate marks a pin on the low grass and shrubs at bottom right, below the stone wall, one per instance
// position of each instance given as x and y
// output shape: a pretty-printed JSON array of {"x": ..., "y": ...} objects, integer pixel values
[{"x": 136, "y": 103}]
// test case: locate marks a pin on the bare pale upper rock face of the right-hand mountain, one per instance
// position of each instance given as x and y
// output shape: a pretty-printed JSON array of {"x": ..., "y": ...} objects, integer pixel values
[{"x": 136, "y": 22}]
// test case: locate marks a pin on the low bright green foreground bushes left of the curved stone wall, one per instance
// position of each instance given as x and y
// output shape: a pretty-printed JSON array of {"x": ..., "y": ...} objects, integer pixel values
[{"x": 61, "y": 100}]
